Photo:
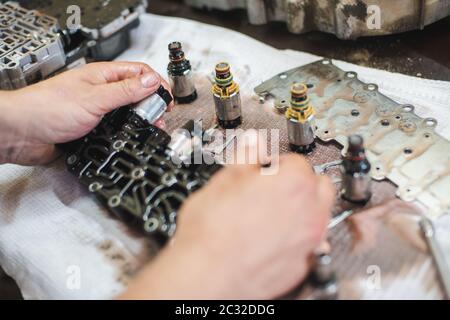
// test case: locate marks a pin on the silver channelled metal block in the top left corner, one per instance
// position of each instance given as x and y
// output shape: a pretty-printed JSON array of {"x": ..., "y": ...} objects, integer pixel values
[{"x": 30, "y": 48}]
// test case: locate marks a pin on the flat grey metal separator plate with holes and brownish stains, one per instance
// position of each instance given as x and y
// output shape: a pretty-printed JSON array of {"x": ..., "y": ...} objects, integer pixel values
[{"x": 402, "y": 146}]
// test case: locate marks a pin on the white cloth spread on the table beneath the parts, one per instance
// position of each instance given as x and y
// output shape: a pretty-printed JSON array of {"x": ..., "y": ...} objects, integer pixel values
[{"x": 51, "y": 231}]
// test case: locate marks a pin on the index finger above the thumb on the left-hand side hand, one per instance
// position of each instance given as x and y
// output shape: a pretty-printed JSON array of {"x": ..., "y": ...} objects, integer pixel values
[{"x": 106, "y": 72}]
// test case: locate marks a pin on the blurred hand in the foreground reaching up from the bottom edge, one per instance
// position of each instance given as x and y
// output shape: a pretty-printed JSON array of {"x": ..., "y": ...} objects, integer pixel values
[{"x": 243, "y": 236}]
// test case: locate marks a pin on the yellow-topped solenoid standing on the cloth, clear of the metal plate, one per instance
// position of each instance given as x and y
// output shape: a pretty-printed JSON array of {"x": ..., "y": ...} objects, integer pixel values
[{"x": 227, "y": 97}]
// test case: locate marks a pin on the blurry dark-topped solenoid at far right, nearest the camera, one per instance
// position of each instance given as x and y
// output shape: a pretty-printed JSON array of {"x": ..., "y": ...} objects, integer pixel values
[{"x": 356, "y": 179}]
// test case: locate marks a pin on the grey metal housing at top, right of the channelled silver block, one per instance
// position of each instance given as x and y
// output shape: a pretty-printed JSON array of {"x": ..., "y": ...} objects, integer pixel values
[{"x": 103, "y": 31}]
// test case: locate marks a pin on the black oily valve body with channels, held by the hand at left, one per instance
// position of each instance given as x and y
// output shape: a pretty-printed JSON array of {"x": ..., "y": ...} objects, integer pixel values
[{"x": 127, "y": 163}]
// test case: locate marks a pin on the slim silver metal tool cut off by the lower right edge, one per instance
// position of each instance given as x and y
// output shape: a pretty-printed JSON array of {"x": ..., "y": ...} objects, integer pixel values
[{"x": 438, "y": 257}]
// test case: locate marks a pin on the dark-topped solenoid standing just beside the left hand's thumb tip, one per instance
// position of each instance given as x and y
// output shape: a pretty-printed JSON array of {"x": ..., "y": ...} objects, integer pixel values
[{"x": 180, "y": 75}]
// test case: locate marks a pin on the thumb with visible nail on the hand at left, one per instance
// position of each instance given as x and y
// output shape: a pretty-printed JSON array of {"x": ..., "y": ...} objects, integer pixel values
[{"x": 130, "y": 90}]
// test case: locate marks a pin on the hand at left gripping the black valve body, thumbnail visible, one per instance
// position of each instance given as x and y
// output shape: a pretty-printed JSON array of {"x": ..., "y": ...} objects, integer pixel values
[{"x": 67, "y": 107}]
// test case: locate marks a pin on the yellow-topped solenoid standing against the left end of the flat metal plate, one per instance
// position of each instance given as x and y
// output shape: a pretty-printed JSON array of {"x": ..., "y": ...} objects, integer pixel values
[{"x": 300, "y": 117}]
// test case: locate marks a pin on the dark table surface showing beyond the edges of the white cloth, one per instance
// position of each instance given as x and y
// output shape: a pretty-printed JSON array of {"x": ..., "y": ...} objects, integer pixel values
[{"x": 423, "y": 53}]
